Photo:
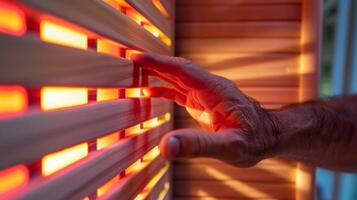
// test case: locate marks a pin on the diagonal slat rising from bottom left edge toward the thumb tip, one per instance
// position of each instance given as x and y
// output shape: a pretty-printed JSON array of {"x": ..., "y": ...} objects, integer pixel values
[{"x": 84, "y": 177}]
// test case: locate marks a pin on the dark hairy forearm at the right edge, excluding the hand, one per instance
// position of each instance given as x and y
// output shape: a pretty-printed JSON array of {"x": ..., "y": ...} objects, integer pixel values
[{"x": 321, "y": 133}]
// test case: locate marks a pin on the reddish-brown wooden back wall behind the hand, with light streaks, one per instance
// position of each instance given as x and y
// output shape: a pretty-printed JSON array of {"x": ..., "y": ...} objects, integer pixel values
[{"x": 270, "y": 49}]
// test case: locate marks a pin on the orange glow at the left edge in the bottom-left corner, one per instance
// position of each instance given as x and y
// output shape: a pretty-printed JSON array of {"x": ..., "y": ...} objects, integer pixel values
[{"x": 13, "y": 177}]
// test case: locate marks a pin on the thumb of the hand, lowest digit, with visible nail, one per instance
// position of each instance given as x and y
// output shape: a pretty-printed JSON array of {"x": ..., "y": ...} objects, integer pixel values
[{"x": 187, "y": 143}]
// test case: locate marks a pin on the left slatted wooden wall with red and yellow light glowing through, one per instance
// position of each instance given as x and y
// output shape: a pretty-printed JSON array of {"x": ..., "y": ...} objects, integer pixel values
[{"x": 74, "y": 120}]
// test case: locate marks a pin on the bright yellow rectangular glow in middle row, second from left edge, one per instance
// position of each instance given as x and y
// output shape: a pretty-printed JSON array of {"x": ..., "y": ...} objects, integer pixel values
[{"x": 62, "y": 97}]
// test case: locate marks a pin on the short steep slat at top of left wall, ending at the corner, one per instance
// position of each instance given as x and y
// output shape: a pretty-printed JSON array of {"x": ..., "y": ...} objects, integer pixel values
[{"x": 148, "y": 10}]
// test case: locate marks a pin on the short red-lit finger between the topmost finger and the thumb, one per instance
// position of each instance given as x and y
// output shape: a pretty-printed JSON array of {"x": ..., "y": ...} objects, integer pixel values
[{"x": 167, "y": 93}]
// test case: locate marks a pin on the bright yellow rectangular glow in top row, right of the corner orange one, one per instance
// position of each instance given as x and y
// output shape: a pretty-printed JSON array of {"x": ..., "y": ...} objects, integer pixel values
[{"x": 58, "y": 34}]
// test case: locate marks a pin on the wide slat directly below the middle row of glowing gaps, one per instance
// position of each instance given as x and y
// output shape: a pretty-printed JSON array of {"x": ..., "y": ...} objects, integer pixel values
[{"x": 38, "y": 133}]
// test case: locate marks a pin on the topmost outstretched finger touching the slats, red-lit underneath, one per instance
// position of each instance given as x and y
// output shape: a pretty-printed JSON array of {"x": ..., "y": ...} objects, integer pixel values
[{"x": 186, "y": 72}]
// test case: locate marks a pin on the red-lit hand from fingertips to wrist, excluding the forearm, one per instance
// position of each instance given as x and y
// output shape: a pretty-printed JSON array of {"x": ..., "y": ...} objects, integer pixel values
[{"x": 237, "y": 129}]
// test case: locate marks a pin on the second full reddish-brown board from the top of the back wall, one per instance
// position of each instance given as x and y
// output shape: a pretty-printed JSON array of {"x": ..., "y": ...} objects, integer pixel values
[{"x": 237, "y": 29}]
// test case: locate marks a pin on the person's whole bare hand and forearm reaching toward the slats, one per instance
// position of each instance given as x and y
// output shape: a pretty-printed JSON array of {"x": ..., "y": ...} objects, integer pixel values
[{"x": 237, "y": 130}]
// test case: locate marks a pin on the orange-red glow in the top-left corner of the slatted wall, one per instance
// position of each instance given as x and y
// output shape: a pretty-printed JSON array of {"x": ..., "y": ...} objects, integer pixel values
[{"x": 12, "y": 19}]
